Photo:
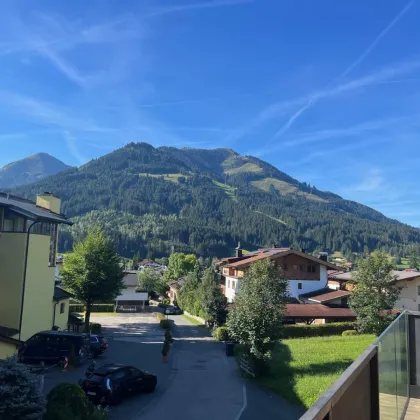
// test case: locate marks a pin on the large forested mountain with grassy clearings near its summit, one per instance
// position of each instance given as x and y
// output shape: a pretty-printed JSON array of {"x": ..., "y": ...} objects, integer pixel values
[{"x": 205, "y": 201}]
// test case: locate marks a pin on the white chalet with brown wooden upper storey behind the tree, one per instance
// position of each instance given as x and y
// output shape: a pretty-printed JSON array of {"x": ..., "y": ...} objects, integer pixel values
[{"x": 303, "y": 272}]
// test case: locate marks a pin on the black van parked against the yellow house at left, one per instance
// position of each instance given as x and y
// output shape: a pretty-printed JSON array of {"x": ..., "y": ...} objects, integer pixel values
[{"x": 53, "y": 346}]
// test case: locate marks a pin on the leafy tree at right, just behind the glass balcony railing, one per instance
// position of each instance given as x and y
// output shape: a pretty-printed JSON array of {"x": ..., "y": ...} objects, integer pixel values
[{"x": 374, "y": 294}]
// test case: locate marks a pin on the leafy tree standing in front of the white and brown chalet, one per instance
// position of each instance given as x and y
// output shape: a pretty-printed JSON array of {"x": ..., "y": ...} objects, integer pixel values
[{"x": 256, "y": 319}]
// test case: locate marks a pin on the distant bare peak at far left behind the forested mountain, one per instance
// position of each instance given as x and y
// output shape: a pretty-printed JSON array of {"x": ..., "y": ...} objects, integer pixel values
[{"x": 30, "y": 169}]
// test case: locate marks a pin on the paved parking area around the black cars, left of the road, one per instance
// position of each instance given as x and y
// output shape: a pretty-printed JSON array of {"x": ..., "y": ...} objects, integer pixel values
[{"x": 134, "y": 339}]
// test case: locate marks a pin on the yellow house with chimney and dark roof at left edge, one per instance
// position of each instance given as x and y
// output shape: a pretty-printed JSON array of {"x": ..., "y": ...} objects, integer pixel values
[{"x": 30, "y": 300}]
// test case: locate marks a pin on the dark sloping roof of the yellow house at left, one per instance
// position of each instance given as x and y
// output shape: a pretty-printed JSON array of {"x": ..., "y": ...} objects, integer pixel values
[{"x": 29, "y": 209}]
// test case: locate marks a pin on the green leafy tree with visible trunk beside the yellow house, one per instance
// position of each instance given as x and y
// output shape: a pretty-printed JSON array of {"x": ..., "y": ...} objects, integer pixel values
[{"x": 93, "y": 271}]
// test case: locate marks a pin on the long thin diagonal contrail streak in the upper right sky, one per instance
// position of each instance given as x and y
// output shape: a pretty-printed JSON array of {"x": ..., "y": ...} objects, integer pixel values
[{"x": 314, "y": 99}]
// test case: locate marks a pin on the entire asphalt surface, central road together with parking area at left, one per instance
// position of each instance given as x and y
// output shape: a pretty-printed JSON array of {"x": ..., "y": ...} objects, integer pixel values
[{"x": 198, "y": 382}]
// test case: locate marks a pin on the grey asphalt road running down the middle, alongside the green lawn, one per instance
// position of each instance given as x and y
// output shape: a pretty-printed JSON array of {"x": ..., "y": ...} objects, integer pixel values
[{"x": 207, "y": 385}]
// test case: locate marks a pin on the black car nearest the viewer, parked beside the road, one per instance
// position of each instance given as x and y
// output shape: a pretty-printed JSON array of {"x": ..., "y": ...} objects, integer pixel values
[{"x": 111, "y": 383}]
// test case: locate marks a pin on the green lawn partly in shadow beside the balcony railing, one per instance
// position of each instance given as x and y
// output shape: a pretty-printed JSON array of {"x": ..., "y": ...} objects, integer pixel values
[{"x": 302, "y": 369}]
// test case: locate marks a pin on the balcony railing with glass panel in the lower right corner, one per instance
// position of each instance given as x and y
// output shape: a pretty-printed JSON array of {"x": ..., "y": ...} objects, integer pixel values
[{"x": 383, "y": 383}]
